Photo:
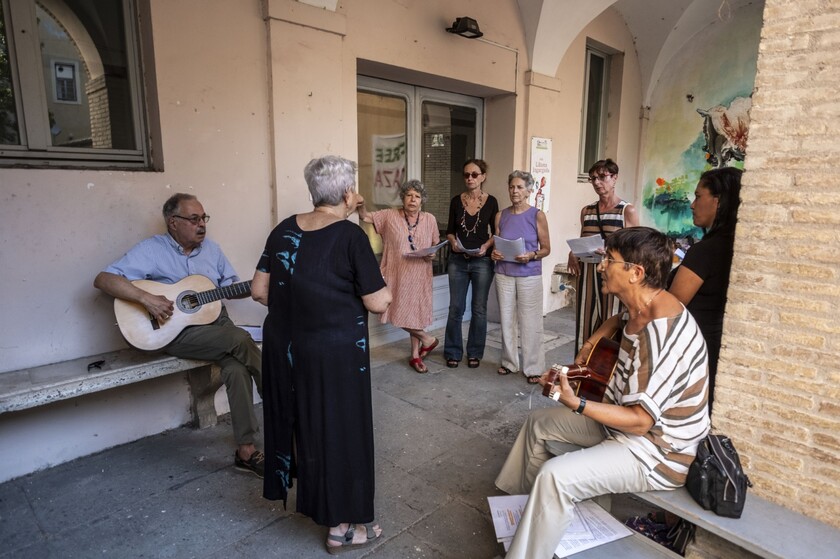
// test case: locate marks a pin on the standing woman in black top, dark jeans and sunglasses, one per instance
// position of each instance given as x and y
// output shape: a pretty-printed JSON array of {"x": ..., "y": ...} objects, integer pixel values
[{"x": 472, "y": 224}]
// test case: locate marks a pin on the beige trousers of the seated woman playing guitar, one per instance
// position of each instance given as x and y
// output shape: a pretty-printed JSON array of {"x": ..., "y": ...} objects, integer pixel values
[{"x": 599, "y": 466}]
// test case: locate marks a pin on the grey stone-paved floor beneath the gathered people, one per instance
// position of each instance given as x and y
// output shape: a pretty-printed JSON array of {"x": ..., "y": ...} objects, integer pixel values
[{"x": 440, "y": 441}]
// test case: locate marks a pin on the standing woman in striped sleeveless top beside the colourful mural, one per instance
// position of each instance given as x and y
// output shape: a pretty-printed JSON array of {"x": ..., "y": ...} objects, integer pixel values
[{"x": 606, "y": 216}]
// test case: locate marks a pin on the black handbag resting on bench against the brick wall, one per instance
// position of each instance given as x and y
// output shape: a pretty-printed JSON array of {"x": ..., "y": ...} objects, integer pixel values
[{"x": 715, "y": 478}]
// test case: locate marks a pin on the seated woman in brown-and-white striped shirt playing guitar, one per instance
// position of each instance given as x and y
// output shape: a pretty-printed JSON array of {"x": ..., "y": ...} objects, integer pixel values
[{"x": 645, "y": 432}]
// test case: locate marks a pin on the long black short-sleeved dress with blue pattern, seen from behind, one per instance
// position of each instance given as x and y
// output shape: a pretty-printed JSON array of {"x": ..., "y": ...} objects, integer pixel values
[{"x": 316, "y": 370}]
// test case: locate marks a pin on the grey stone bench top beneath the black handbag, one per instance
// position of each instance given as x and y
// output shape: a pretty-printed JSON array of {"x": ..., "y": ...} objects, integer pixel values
[{"x": 765, "y": 529}]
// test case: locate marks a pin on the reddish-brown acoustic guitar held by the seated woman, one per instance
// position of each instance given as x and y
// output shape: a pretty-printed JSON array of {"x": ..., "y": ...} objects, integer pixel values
[{"x": 590, "y": 379}]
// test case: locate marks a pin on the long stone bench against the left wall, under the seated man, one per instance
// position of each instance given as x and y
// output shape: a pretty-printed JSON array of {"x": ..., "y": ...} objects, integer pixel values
[{"x": 38, "y": 386}]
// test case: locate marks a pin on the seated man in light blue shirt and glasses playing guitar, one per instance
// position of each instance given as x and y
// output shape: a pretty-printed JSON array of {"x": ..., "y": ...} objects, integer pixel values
[{"x": 169, "y": 258}]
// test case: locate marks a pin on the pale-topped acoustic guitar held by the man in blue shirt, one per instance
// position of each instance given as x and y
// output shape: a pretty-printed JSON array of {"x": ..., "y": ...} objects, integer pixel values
[{"x": 197, "y": 301}]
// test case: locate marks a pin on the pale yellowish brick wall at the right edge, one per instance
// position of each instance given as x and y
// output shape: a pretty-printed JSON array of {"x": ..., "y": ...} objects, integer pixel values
[{"x": 778, "y": 387}]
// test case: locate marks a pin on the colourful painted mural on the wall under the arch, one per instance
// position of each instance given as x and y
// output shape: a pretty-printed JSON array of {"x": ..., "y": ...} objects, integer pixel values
[{"x": 699, "y": 120}]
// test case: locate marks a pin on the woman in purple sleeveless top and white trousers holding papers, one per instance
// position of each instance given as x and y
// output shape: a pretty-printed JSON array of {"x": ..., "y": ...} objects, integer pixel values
[{"x": 519, "y": 283}]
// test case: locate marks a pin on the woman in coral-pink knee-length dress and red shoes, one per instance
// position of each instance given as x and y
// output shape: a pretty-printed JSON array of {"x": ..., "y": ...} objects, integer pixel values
[{"x": 405, "y": 230}]
